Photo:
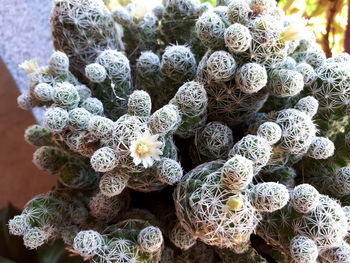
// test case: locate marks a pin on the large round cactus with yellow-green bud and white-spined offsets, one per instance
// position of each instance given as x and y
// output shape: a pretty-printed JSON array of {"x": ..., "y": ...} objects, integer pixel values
[{"x": 225, "y": 187}]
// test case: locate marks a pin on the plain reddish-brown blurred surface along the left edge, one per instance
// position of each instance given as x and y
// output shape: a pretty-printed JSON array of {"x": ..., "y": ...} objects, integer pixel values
[{"x": 20, "y": 180}]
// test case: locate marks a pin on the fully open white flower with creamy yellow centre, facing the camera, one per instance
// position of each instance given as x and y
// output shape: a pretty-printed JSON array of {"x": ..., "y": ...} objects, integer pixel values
[{"x": 145, "y": 149}]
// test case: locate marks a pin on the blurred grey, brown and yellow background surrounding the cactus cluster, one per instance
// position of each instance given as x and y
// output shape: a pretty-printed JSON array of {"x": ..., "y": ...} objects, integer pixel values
[{"x": 26, "y": 34}]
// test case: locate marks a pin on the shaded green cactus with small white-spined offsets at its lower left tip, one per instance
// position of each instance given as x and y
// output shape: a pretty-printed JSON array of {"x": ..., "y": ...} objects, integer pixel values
[{"x": 45, "y": 216}]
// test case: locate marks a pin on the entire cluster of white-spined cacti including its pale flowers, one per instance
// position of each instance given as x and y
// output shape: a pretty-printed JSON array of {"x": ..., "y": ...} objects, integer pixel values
[{"x": 192, "y": 133}]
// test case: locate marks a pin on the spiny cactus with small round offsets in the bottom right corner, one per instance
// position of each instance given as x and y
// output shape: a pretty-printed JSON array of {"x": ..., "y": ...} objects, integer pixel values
[{"x": 312, "y": 226}]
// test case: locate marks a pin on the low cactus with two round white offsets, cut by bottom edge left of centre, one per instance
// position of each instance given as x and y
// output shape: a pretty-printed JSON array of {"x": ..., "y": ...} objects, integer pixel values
[{"x": 132, "y": 240}]
